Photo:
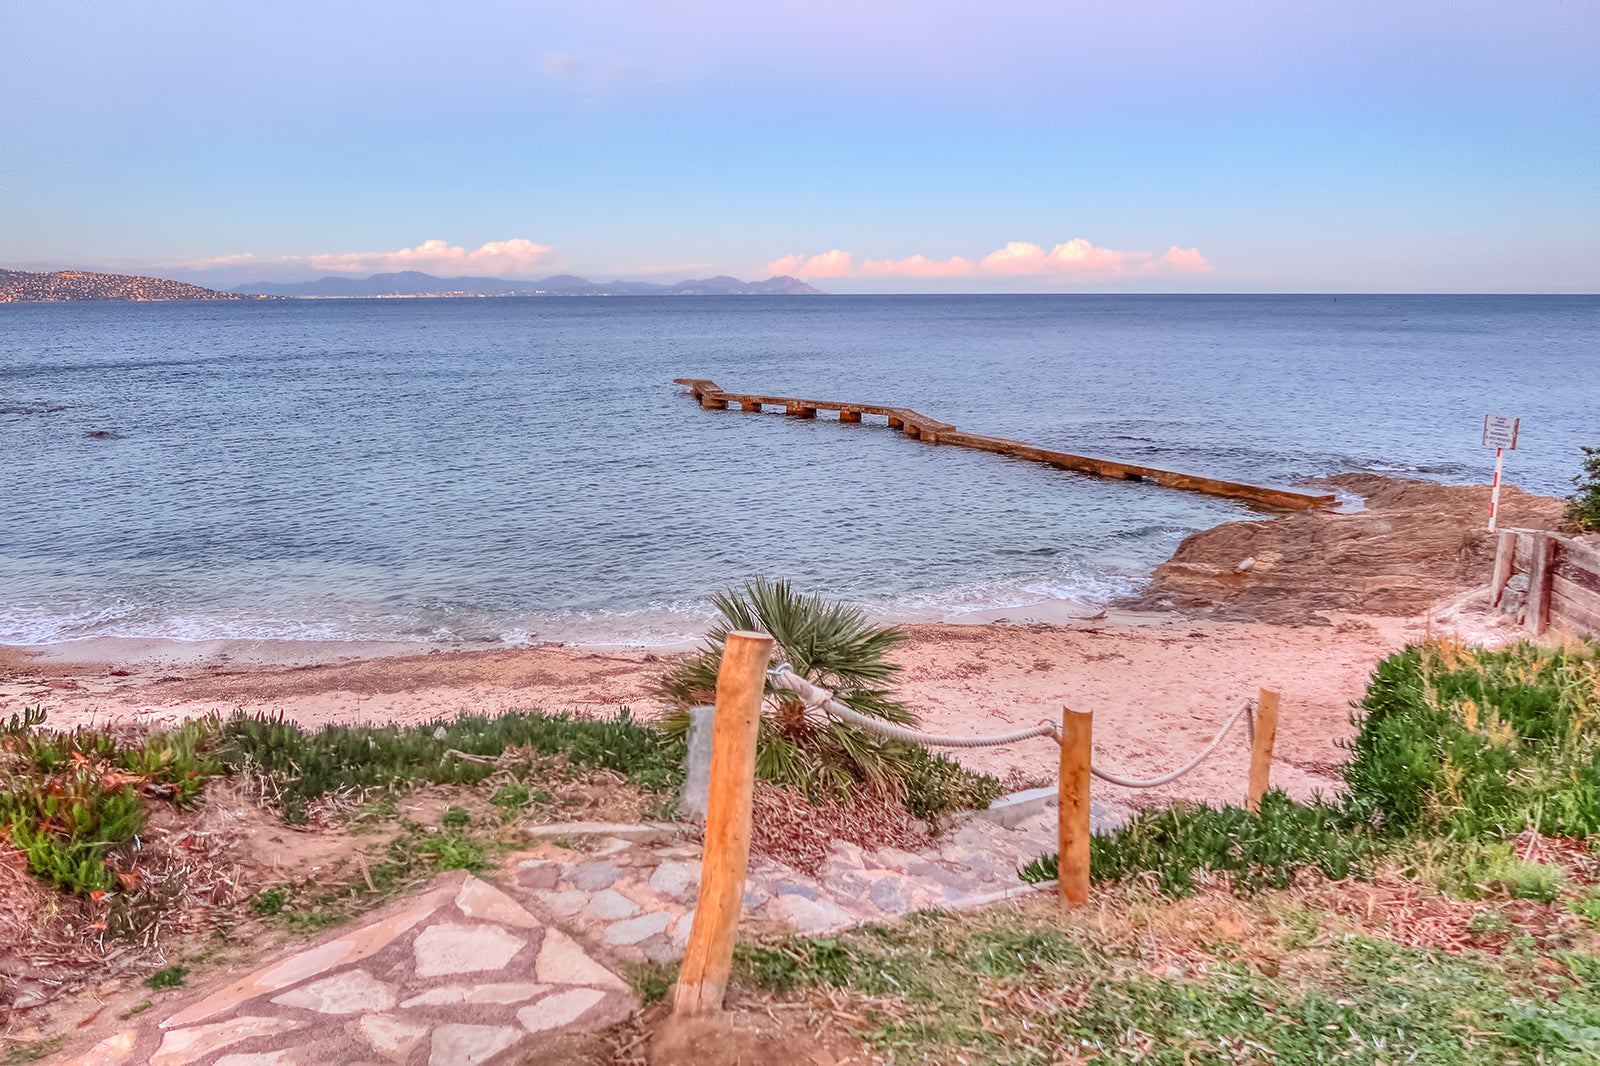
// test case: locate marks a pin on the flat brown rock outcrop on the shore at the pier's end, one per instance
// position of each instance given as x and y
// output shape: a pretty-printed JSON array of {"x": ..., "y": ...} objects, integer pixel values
[{"x": 1417, "y": 543}]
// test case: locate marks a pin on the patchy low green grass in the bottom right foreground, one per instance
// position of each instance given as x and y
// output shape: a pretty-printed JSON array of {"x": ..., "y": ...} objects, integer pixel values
[{"x": 1018, "y": 988}]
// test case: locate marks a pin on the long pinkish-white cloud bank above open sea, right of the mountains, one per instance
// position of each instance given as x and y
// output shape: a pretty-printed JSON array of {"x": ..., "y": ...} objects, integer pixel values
[{"x": 1074, "y": 260}]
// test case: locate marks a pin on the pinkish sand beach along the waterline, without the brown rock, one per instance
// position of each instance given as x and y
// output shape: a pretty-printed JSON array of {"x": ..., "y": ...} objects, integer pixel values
[{"x": 1158, "y": 684}]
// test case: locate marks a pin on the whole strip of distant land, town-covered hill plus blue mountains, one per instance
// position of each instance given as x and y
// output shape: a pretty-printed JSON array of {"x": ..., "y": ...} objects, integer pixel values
[{"x": 79, "y": 286}]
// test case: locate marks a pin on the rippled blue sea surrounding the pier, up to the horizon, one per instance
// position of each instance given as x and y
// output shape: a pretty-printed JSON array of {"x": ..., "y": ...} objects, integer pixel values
[{"x": 495, "y": 470}]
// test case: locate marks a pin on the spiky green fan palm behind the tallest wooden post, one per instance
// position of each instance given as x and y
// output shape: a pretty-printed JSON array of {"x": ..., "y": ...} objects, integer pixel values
[{"x": 828, "y": 644}]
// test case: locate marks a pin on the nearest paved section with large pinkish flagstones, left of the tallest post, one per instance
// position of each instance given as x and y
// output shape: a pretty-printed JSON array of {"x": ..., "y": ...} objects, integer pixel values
[{"x": 458, "y": 976}]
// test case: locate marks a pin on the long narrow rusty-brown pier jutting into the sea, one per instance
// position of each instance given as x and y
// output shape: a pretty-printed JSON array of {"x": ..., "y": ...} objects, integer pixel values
[{"x": 934, "y": 431}]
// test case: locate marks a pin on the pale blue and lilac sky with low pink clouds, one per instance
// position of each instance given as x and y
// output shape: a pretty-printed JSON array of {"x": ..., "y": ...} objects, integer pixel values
[{"x": 898, "y": 148}]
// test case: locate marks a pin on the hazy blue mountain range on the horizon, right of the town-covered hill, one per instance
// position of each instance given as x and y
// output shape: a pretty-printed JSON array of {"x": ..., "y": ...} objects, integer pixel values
[{"x": 418, "y": 284}]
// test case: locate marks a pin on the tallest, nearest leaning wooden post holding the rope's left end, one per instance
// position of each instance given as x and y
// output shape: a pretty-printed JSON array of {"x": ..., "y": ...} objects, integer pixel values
[{"x": 708, "y": 958}]
